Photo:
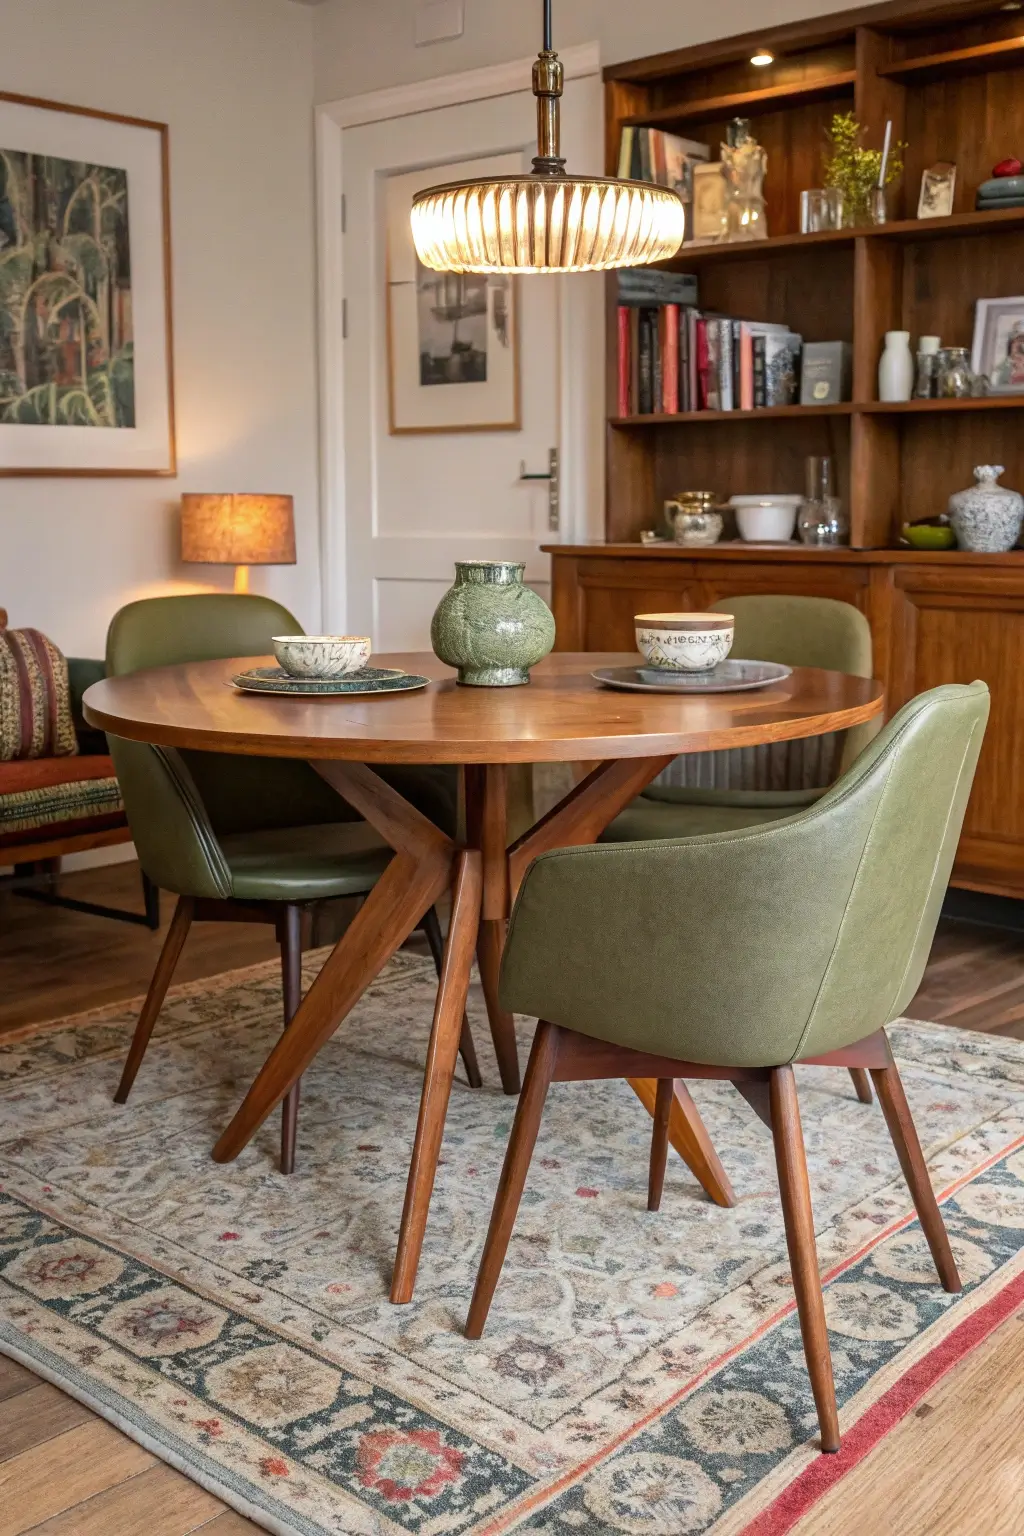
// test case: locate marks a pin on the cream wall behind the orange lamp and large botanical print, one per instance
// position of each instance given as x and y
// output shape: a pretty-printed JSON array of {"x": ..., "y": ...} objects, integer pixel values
[{"x": 234, "y": 79}]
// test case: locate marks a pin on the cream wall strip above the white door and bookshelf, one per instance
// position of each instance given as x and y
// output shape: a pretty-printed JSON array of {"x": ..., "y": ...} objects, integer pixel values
[{"x": 366, "y": 45}]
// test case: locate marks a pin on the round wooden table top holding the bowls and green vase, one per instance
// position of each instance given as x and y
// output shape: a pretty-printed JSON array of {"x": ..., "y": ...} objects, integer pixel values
[{"x": 561, "y": 717}]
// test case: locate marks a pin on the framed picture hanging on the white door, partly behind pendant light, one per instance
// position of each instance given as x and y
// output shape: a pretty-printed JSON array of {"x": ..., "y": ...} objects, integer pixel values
[{"x": 452, "y": 339}]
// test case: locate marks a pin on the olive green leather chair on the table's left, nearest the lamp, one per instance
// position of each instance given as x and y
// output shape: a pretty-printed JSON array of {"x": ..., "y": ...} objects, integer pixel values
[{"x": 243, "y": 838}]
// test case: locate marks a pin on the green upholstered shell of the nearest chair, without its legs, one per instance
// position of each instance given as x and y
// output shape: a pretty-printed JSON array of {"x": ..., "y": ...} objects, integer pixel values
[{"x": 767, "y": 945}]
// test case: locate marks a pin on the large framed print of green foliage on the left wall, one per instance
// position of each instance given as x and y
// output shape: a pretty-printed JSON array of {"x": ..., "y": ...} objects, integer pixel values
[{"x": 87, "y": 368}]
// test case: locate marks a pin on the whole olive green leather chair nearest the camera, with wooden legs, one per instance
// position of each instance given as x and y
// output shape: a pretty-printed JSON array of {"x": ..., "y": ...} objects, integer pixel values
[{"x": 736, "y": 955}]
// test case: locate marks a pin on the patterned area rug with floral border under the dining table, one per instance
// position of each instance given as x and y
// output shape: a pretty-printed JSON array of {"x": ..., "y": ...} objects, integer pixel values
[{"x": 641, "y": 1374}]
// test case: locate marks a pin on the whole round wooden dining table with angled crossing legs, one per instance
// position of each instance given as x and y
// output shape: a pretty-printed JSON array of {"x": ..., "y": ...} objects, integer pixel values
[{"x": 561, "y": 717}]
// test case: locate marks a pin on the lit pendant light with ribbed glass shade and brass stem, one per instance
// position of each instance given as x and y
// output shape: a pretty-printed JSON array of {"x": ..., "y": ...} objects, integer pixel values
[{"x": 546, "y": 222}]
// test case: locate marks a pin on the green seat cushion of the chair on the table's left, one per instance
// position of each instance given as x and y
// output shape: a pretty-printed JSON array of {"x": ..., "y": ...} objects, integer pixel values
[{"x": 305, "y": 864}]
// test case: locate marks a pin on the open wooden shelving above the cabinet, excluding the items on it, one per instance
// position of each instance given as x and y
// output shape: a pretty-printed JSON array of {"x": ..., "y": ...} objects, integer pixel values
[{"x": 953, "y": 81}]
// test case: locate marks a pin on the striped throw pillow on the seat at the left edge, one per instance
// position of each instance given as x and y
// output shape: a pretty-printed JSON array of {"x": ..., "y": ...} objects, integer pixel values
[{"x": 36, "y": 717}]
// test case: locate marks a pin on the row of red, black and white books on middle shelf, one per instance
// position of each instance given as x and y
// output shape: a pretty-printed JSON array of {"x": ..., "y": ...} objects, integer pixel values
[{"x": 675, "y": 359}]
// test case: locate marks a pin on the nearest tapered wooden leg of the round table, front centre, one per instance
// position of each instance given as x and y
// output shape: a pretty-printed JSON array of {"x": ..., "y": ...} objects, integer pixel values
[{"x": 441, "y": 1058}]
